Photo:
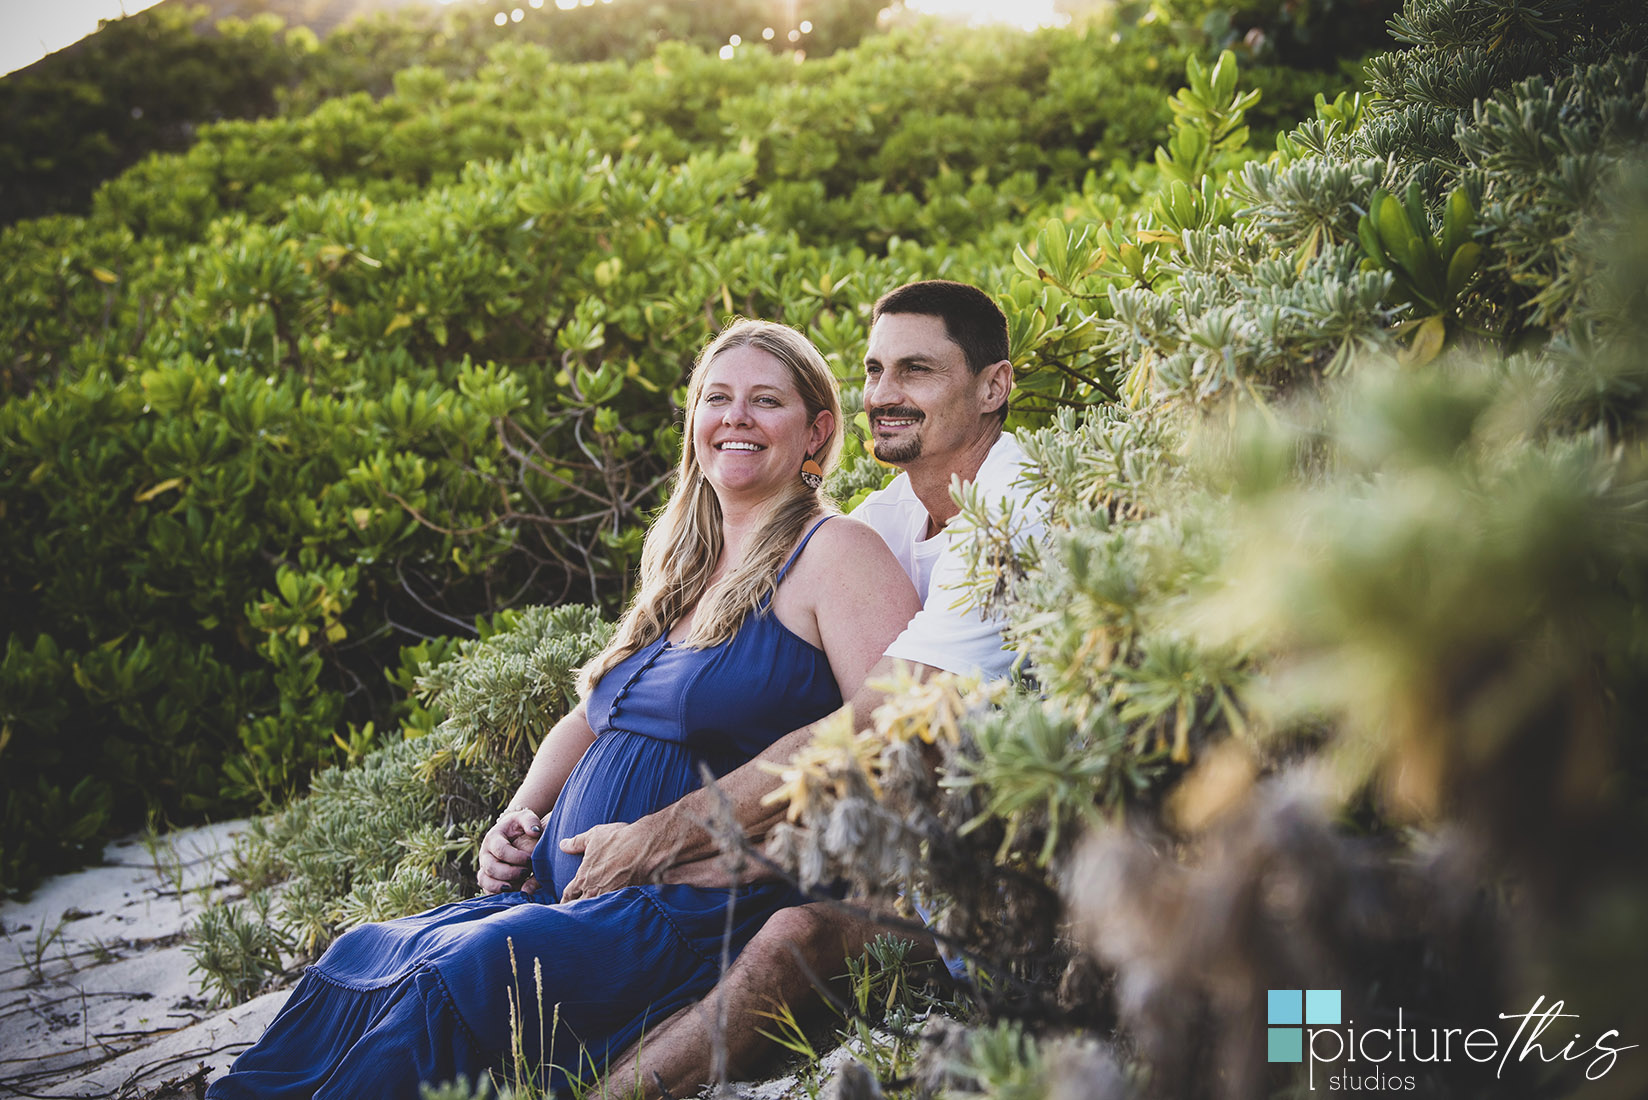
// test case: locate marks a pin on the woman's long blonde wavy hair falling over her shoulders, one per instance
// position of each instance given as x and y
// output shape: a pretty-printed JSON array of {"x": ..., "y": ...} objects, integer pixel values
[{"x": 686, "y": 540}]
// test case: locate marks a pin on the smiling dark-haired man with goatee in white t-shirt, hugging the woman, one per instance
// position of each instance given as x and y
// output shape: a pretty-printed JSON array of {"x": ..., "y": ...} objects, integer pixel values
[{"x": 937, "y": 387}]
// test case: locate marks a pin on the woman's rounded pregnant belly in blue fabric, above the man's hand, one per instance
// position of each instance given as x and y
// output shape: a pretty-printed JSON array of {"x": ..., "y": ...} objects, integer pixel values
[{"x": 622, "y": 778}]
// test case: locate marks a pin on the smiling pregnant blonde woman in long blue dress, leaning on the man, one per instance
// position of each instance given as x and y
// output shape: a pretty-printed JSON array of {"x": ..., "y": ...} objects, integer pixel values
[{"x": 759, "y": 611}]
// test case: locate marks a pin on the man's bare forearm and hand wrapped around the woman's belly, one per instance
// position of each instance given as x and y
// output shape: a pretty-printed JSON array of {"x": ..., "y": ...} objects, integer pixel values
[{"x": 673, "y": 842}]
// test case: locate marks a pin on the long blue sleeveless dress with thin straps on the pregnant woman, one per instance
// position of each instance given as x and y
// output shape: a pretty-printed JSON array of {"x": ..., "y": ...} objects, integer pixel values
[{"x": 428, "y": 999}]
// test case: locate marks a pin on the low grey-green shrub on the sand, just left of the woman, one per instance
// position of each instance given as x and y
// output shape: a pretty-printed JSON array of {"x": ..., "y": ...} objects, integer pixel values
[{"x": 401, "y": 832}]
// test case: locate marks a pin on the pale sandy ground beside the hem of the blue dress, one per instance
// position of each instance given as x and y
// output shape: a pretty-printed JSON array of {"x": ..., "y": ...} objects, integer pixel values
[{"x": 96, "y": 995}]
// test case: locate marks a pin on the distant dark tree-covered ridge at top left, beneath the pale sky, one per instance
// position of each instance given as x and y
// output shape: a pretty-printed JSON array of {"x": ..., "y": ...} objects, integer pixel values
[{"x": 149, "y": 83}]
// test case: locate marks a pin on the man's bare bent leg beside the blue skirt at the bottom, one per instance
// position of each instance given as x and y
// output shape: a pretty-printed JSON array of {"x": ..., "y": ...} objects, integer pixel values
[{"x": 680, "y": 1055}]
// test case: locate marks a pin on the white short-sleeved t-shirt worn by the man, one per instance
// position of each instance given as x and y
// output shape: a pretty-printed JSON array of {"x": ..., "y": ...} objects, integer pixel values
[{"x": 958, "y": 641}]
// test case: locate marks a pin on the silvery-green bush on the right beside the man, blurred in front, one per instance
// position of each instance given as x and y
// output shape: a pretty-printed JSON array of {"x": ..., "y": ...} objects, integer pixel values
[{"x": 1339, "y": 651}]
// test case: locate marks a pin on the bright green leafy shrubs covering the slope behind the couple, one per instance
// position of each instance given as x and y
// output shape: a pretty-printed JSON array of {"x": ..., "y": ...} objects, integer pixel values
[{"x": 332, "y": 385}]
